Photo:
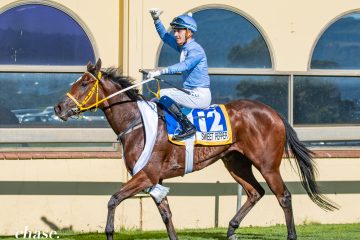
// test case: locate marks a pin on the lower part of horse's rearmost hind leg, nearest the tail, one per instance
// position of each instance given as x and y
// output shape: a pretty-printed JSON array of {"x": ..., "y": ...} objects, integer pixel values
[{"x": 277, "y": 186}]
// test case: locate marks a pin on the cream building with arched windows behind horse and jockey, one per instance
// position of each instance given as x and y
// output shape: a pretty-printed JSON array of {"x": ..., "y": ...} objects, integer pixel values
[{"x": 302, "y": 59}]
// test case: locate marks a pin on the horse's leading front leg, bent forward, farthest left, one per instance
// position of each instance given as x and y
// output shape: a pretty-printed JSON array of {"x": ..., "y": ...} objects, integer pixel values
[{"x": 135, "y": 185}]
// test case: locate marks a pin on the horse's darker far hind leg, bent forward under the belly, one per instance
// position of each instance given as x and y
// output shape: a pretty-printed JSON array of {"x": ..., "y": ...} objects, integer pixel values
[{"x": 240, "y": 169}]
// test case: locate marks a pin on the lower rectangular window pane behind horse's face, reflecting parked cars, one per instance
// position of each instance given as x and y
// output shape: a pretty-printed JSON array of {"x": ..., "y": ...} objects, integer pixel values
[{"x": 27, "y": 100}]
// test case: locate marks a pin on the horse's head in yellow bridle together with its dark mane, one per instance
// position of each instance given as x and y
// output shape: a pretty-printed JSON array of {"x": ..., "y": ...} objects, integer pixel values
[{"x": 92, "y": 91}]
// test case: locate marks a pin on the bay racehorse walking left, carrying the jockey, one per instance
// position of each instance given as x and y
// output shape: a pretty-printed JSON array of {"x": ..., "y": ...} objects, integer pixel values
[{"x": 260, "y": 139}]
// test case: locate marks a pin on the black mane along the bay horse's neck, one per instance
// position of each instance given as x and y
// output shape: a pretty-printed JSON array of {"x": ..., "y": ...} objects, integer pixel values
[{"x": 115, "y": 76}]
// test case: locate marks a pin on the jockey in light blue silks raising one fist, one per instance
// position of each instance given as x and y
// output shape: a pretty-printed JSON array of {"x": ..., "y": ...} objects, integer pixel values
[{"x": 193, "y": 67}]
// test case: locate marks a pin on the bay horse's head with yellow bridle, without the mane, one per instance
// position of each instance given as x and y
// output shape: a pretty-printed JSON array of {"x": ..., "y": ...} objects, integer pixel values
[{"x": 84, "y": 93}]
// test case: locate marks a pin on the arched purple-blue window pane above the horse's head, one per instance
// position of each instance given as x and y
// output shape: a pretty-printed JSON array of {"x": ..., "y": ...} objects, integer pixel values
[{"x": 35, "y": 34}]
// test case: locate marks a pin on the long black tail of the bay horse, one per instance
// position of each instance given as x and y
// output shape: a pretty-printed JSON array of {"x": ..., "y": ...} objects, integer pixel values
[{"x": 306, "y": 168}]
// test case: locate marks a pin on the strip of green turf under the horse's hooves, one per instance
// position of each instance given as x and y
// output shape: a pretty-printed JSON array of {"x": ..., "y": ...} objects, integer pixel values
[{"x": 305, "y": 232}]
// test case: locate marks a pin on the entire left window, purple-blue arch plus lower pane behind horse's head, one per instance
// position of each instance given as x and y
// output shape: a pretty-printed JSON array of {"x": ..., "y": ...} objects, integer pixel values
[{"x": 46, "y": 39}]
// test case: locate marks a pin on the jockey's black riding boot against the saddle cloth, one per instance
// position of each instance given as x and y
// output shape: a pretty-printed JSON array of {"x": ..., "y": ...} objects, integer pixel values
[{"x": 188, "y": 129}]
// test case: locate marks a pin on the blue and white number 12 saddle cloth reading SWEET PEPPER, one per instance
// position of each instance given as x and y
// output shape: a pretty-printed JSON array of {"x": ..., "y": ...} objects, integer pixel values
[{"x": 212, "y": 125}]
